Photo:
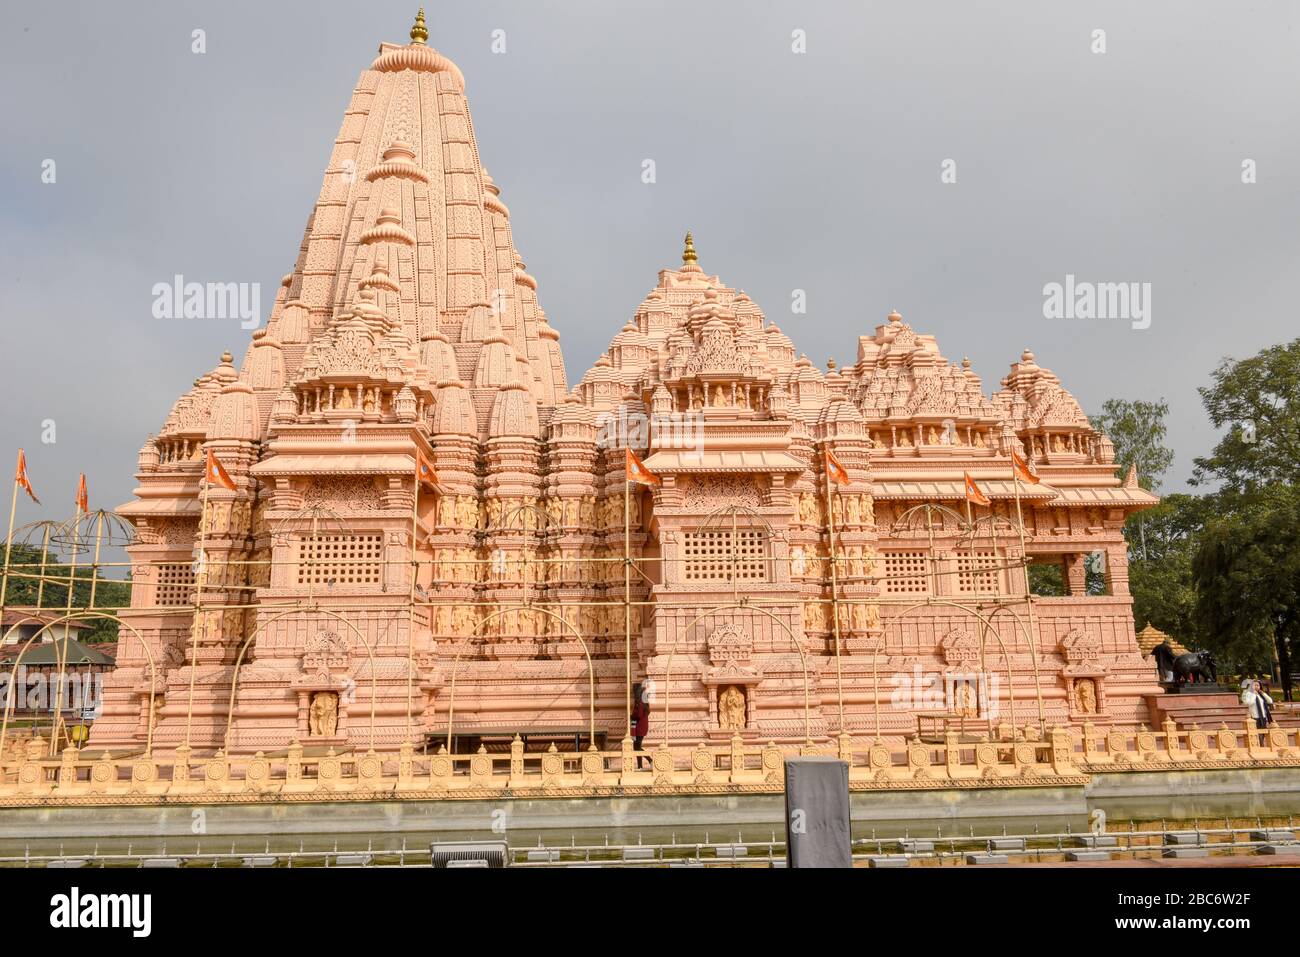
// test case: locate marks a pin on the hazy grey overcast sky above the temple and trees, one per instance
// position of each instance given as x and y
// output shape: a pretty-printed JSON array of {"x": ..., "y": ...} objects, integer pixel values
[{"x": 817, "y": 172}]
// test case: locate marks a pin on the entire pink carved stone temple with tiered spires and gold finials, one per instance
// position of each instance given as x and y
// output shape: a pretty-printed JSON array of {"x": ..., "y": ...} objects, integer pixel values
[{"x": 410, "y": 327}]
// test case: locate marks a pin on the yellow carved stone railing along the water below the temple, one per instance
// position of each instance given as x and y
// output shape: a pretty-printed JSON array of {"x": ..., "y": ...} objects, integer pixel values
[{"x": 1063, "y": 759}]
